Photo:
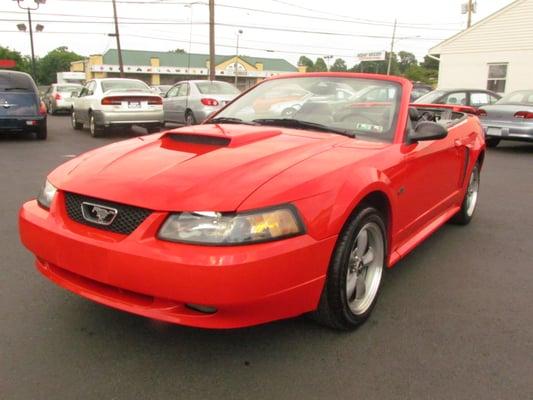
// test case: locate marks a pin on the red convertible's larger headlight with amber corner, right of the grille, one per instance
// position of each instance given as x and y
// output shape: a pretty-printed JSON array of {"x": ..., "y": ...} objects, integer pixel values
[{"x": 232, "y": 228}]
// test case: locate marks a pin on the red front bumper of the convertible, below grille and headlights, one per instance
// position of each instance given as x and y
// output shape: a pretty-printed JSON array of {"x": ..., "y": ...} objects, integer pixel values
[{"x": 248, "y": 285}]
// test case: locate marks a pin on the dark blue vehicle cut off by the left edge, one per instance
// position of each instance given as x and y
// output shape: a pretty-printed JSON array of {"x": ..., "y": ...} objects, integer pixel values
[{"x": 21, "y": 110}]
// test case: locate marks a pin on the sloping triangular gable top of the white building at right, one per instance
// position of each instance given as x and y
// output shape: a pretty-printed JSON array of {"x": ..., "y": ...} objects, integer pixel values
[{"x": 507, "y": 29}]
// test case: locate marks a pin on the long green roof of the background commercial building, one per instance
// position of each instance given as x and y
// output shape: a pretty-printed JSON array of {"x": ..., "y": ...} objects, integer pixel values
[{"x": 173, "y": 59}]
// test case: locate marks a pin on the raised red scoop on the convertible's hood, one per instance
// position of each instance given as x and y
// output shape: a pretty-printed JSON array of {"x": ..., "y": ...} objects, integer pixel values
[{"x": 220, "y": 135}]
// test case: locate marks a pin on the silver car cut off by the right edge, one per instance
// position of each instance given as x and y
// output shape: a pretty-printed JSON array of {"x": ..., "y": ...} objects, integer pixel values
[{"x": 511, "y": 118}]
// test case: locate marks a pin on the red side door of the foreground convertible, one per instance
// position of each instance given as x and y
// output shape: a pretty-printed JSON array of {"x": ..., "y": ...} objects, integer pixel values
[{"x": 432, "y": 175}]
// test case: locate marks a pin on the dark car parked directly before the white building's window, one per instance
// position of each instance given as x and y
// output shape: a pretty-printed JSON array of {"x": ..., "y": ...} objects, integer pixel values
[{"x": 464, "y": 97}]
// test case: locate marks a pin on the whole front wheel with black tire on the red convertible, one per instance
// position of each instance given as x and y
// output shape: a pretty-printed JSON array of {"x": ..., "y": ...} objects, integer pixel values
[{"x": 355, "y": 272}]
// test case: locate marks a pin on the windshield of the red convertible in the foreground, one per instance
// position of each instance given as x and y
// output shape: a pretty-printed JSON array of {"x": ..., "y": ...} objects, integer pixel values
[{"x": 327, "y": 102}]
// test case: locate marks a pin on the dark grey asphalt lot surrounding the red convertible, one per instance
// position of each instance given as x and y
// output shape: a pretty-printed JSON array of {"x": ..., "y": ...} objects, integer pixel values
[{"x": 454, "y": 320}]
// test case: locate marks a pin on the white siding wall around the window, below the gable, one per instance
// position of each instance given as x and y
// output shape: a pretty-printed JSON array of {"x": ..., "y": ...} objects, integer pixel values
[{"x": 471, "y": 70}]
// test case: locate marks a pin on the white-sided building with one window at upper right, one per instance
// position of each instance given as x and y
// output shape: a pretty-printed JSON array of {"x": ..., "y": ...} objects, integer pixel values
[{"x": 495, "y": 54}]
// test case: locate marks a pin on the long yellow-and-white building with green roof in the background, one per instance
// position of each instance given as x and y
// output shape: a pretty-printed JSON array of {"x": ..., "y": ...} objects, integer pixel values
[{"x": 166, "y": 68}]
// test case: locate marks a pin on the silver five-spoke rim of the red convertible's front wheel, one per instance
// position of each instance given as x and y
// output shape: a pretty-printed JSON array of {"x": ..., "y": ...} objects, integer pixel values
[{"x": 365, "y": 268}]
